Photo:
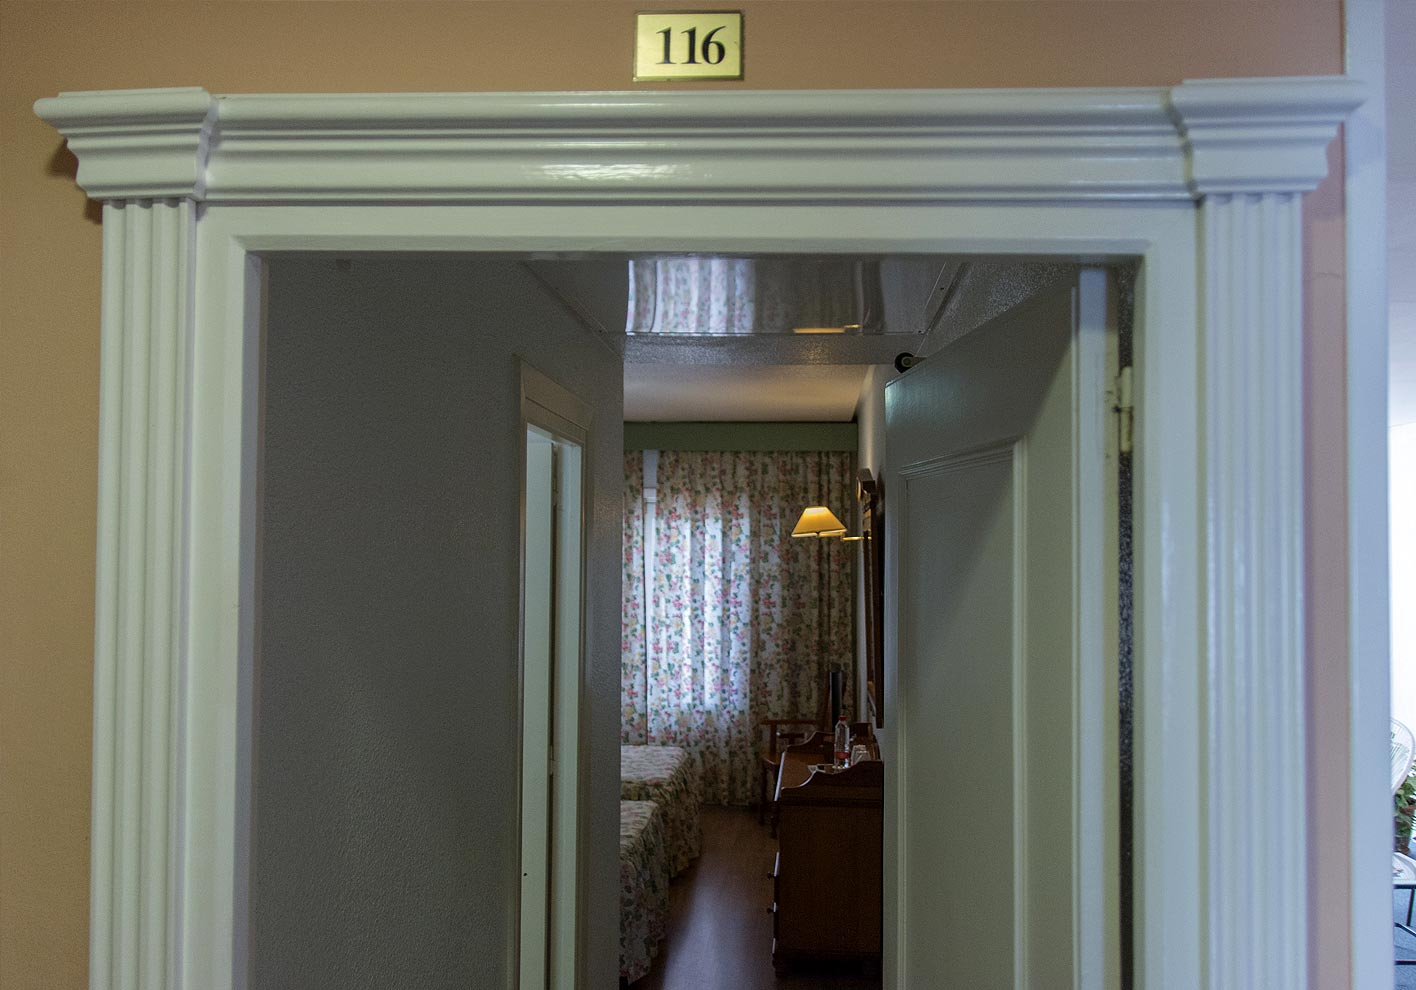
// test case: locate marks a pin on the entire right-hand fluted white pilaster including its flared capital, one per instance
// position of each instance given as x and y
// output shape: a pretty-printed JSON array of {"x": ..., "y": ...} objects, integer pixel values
[{"x": 1252, "y": 152}]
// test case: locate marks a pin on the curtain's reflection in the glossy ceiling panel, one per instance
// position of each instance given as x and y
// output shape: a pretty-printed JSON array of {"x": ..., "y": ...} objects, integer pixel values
[{"x": 741, "y": 295}]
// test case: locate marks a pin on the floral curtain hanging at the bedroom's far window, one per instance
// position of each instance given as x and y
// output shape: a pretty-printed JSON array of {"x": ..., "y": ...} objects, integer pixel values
[{"x": 733, "y": 621}]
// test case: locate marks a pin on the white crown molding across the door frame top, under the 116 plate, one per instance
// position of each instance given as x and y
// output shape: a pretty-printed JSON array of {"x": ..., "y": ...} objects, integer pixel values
[{"x": 1180, "y": 144}]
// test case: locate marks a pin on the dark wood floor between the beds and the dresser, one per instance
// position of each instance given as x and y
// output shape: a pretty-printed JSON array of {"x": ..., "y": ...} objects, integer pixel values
[{"x": 720, "y": 933}]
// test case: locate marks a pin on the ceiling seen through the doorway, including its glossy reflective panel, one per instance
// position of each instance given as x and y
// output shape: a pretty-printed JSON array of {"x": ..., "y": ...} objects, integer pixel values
[{"x": 770, "y": 375}]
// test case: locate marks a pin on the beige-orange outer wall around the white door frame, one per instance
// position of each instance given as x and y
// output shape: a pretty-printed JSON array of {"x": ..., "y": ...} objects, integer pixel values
[{"x": 50, "y": 274}]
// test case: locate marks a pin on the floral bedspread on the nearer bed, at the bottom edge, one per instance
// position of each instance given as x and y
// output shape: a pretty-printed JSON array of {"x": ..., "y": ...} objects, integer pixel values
[{"x": 644, "y": 887}]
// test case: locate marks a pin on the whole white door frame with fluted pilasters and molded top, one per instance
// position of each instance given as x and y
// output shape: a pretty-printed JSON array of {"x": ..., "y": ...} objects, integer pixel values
[{"x": 1201, "y": 182}]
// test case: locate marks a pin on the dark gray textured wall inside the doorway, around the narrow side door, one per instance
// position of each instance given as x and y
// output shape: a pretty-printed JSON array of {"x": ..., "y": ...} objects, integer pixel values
[{"x": 387, "y": 688}]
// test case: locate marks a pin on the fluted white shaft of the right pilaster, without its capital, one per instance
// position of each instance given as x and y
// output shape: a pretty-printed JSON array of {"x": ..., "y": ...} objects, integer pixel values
[{"x": 1252, "y": 348}]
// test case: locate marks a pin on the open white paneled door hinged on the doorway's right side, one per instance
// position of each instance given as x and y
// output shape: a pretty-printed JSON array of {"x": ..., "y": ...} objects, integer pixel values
[{"x": 1000, "y": 859}]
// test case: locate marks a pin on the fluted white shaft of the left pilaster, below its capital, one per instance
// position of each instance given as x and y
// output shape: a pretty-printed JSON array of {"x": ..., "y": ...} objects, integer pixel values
[{"x": 138, "y": 658}]
